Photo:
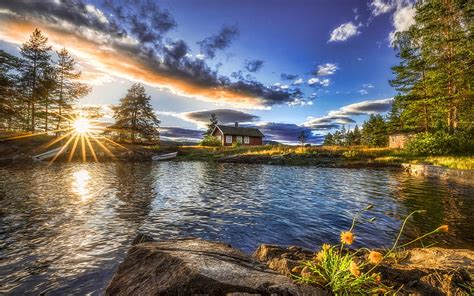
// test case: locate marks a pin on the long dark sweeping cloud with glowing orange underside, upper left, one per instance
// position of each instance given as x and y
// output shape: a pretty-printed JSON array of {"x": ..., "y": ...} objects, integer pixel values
[{"x": 128, "y": 42}]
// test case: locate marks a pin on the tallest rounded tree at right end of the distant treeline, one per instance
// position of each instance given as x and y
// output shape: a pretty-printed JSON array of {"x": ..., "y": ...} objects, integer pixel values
[{"x": 374, "y": 131}]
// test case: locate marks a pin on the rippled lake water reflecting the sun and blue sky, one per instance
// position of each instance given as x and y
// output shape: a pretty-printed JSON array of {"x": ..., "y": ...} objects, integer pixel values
[{"x": 64, "y": 229}]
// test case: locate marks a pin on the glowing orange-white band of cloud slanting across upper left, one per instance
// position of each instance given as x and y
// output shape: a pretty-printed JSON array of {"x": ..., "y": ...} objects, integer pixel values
[{"x": 95, "y": 52}]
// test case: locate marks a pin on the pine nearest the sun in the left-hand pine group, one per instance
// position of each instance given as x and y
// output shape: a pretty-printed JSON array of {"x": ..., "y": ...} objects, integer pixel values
[{"x": 68, "y": 90}]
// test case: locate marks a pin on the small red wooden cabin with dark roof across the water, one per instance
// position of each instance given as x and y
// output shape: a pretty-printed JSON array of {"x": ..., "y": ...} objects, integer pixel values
[{"x": 229, "y": 135}]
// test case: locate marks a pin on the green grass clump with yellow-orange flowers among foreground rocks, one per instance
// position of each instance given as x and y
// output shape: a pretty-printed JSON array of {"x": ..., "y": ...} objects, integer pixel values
[{"x": 352, "y": 272}]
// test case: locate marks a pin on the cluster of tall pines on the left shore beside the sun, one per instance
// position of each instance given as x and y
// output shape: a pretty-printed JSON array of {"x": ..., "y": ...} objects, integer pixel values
[{"x": 37, "y": 91}]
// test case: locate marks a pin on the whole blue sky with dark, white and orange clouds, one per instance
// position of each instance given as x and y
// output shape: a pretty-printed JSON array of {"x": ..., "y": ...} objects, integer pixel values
[{"x": 283, "y": 66}]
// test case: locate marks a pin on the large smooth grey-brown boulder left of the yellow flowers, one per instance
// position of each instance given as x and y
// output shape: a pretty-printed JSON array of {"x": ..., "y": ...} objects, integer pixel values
[{"x": 194, "y": 266}]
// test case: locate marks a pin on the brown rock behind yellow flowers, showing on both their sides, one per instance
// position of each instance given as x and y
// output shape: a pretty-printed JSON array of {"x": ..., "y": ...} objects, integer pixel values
[{"x": 428, "y": 271}]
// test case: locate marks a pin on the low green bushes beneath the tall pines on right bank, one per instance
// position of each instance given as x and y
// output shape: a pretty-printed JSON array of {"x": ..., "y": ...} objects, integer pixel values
[{"x": 441, "y": 143}]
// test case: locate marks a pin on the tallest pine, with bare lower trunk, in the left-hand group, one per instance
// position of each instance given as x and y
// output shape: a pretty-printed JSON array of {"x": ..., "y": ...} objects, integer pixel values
[{"x": 35, "y": 53}]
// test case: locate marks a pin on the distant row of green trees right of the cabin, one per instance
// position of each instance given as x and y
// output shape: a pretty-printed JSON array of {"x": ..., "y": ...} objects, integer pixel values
[{"x": 374, "y": 133}]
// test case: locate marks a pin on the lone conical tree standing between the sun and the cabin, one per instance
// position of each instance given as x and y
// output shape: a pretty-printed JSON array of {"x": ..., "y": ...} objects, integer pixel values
[{"x": 135, "y": 115}]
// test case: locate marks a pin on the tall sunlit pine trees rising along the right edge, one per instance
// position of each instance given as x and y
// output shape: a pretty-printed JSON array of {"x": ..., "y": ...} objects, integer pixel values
[{"x": 435, "y": 75}]
